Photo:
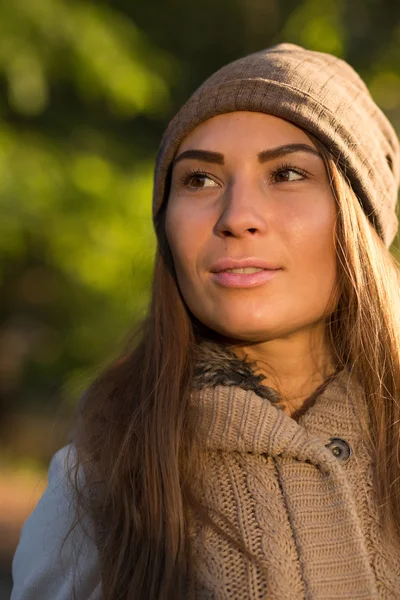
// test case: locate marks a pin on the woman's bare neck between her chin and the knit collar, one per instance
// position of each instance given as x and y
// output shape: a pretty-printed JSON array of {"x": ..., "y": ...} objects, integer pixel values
[{"x": 296, "y": 366}]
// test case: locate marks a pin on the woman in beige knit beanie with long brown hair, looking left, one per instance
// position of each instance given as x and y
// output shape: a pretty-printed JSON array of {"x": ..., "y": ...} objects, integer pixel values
[{"x": 247, "y": 445}]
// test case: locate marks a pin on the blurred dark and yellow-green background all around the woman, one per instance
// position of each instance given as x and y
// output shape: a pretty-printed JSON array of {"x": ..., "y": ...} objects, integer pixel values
[{"x": 86, "y": 90}]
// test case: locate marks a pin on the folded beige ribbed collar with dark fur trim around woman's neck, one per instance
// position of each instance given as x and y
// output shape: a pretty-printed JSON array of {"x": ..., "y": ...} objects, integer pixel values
[{"x": 236, "y": 411}]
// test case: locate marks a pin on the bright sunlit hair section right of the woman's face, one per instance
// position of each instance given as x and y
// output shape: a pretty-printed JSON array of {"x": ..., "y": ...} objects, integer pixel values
[{"x": 365, "y": 335}]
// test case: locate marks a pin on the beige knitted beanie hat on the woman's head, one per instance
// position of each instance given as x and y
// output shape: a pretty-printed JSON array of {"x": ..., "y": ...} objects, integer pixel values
[{"x": 321, "y": 94}]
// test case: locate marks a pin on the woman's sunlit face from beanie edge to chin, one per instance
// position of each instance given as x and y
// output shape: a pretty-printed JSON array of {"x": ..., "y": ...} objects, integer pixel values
[{"x": 250, "y": 223}]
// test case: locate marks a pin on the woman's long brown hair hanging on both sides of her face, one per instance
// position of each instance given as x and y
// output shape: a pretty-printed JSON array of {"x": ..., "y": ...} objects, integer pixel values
[{"x": 134, "y": 433}]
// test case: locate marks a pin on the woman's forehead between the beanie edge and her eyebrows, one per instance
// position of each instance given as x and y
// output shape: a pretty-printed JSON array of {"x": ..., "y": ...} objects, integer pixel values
[{"x": 243, "y": 129}]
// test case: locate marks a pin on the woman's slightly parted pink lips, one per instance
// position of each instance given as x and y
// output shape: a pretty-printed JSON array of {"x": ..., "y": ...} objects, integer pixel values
[{"x": 242, "y": 280}]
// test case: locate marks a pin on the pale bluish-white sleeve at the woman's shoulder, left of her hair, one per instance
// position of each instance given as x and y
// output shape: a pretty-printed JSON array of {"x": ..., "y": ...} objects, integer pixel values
[{"x": 49, "y": 563}]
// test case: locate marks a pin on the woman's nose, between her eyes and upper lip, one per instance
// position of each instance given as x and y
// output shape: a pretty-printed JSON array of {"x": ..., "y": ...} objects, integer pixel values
[{"x": 243, "y": 211}]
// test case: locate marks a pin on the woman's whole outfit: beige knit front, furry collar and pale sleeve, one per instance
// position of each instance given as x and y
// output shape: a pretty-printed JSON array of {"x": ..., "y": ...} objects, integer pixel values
[{"x": 297, "y": 494}]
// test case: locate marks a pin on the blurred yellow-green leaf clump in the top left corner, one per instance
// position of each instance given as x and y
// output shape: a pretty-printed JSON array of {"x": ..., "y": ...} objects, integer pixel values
[{"x": 99, "y": 51}]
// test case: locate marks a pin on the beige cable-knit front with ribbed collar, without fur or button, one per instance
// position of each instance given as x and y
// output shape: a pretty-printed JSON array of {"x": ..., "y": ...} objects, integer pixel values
[{"x": 309, "y": 518}]
